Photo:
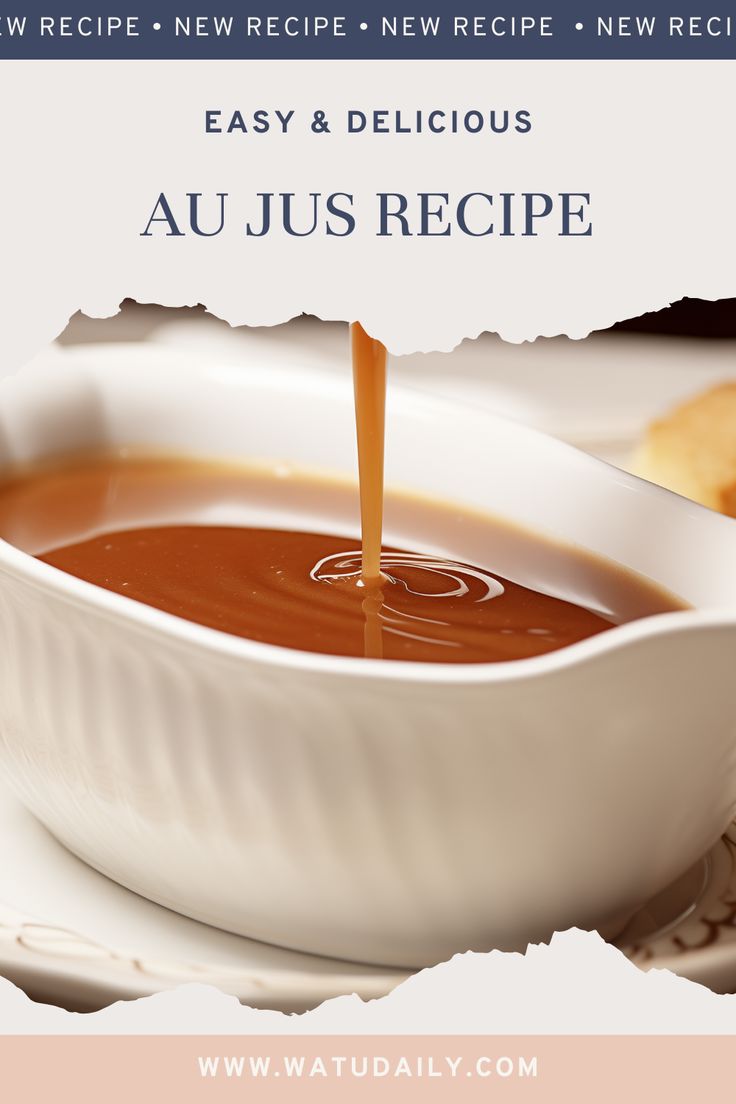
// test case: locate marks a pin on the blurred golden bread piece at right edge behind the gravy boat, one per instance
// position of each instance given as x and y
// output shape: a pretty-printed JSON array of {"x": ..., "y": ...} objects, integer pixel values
[{"x": 694, "y": 450}]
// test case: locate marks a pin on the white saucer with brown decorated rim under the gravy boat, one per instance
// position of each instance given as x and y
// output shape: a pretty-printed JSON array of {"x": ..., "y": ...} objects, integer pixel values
[{"x": 71, "y": 937}]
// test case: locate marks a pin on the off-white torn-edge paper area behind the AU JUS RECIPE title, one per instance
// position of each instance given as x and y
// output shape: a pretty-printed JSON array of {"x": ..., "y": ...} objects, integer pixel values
[{"x": 88, "y": 147}]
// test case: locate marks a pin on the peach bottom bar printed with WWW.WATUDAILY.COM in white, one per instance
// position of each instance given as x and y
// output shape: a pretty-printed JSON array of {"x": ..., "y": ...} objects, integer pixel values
[{"x": 359, "y": 1068}]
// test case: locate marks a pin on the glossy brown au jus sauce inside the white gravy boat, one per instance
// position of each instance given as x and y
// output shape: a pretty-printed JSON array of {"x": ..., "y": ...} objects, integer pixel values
[{"x": 275, "y": 557}]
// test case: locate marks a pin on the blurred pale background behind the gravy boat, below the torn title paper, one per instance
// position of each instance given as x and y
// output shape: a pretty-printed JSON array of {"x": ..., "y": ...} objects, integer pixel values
[{"x": 599, "y": 394}]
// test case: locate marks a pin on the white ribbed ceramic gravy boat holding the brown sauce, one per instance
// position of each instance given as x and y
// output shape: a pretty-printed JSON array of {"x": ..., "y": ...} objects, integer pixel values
[{"x": 383, "y": 812}]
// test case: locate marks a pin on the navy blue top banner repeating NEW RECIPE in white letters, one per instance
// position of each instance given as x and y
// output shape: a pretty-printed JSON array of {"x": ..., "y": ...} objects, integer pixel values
[{"x": 453, "y": 29}]
